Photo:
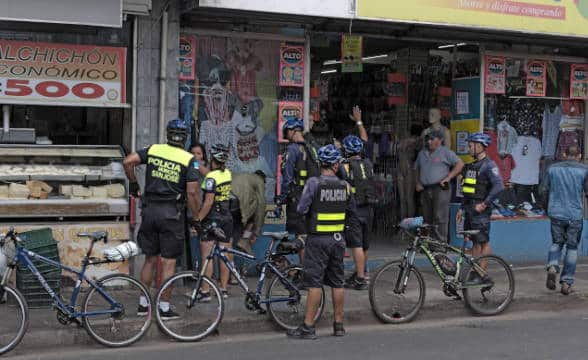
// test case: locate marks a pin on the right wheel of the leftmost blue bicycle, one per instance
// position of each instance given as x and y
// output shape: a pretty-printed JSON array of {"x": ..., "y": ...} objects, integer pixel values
[{"x": 123, "y": 327}]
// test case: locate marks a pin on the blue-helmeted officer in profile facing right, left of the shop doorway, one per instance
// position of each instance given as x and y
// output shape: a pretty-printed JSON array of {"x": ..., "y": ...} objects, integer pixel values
[{"x": 299, "y": 165}]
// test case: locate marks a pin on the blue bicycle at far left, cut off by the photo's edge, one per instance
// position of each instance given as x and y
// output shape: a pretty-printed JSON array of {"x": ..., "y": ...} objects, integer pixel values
[{"x": 106, "y": 305}]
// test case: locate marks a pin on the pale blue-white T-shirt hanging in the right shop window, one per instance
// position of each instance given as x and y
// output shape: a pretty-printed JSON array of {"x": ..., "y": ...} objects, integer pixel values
[{"x": 526, "y": 154}]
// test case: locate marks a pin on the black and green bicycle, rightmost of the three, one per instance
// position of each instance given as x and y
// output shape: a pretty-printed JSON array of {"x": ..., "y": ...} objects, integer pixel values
[{"x": 397, "y": 289}]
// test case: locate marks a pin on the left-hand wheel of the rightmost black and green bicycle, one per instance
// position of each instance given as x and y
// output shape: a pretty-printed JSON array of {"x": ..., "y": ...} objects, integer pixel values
[{"x": 392, "y": 307}]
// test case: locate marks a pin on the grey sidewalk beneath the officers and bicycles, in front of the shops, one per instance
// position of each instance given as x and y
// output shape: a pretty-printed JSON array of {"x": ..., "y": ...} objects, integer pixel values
[{"x": 530, "y": 293}]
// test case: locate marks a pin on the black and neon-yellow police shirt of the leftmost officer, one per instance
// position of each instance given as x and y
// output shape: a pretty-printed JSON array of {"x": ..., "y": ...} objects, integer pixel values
[{"x": 169, "y": 168}]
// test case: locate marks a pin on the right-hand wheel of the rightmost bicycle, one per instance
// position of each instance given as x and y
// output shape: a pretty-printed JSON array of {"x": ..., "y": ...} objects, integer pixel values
[{"x": 494, "y": 298}]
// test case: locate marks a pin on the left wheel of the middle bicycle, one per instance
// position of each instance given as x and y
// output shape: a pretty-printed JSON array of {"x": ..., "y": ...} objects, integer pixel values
[{"x": 196, "y": 322}]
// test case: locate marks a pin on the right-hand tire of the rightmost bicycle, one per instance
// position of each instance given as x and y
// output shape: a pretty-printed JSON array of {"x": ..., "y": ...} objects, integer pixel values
[{"x": 469, "y": 293}]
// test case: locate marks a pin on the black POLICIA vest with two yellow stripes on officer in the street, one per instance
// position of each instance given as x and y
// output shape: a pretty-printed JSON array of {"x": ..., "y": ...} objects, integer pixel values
[{"x": 327, "y": 212}]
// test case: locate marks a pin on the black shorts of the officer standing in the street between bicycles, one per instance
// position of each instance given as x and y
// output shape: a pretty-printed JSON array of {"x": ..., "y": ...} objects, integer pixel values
[{"x": 323, "y": 261}]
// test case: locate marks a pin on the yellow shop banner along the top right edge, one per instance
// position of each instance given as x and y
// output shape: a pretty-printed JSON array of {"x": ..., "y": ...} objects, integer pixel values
[{"x": 554, "y": 17}]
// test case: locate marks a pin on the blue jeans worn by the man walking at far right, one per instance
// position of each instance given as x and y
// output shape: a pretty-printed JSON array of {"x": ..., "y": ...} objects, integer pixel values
[{"x": 568, "y": 233}]
